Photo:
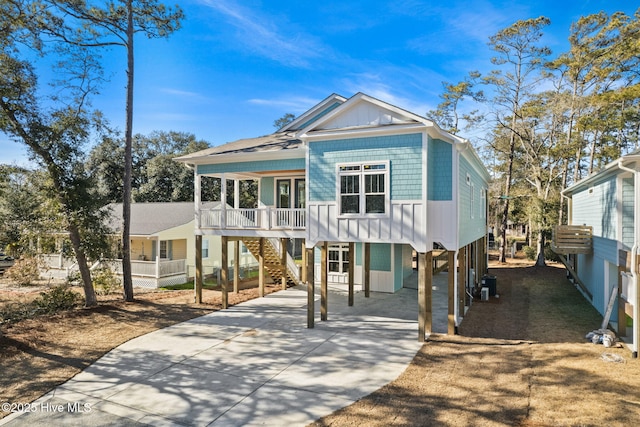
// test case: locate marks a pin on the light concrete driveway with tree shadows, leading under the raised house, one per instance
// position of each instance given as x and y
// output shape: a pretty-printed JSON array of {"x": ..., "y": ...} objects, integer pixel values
[{"x": 253, "y": 364}]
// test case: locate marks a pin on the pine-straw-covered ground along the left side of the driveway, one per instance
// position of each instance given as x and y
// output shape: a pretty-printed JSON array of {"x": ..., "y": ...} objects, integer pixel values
[{"x": 40, "y": 353}]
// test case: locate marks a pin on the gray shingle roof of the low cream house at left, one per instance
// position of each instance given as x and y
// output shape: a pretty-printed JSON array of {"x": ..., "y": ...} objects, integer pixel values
[{"x": 151, "y": 218}]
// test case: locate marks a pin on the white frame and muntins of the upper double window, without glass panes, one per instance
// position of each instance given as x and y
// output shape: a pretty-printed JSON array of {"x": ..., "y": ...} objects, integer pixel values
[{"x": 364, "y": 169}]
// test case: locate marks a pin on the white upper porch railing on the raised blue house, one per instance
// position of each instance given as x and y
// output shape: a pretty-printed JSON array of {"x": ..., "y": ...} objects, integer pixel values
[{"x": 262, "y": 218}]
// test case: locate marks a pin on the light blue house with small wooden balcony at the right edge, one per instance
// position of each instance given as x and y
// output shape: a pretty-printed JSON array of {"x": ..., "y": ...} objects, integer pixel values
[{"x": 602, "y": 242}]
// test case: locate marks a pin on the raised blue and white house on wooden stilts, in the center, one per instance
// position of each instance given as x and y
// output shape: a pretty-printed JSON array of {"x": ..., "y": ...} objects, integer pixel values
[{"x": 364, "y": 184}]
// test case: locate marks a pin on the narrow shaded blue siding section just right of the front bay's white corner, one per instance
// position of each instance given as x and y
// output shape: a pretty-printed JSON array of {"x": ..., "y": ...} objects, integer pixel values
[{"x": 440, "y": 183}]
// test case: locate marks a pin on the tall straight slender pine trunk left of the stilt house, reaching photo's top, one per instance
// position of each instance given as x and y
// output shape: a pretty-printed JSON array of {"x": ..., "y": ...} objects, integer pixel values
[{"x": 126, "y": 202}]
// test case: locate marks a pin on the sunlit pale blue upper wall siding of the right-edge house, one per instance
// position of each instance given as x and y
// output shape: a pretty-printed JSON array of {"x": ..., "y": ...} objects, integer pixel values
[{"x": 596, "y": 207}]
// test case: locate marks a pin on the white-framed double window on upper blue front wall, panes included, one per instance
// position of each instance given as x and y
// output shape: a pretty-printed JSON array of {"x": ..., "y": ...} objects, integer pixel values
[{"x": 363, "y": 188}]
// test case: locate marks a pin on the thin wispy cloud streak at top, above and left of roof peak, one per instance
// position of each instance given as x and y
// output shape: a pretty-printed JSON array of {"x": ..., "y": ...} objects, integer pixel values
[{"x": 263, "y": 34}]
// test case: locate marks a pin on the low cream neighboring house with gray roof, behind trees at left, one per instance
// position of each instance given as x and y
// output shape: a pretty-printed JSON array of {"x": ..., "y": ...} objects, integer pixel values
[{"x": 162, "y": 245}]
